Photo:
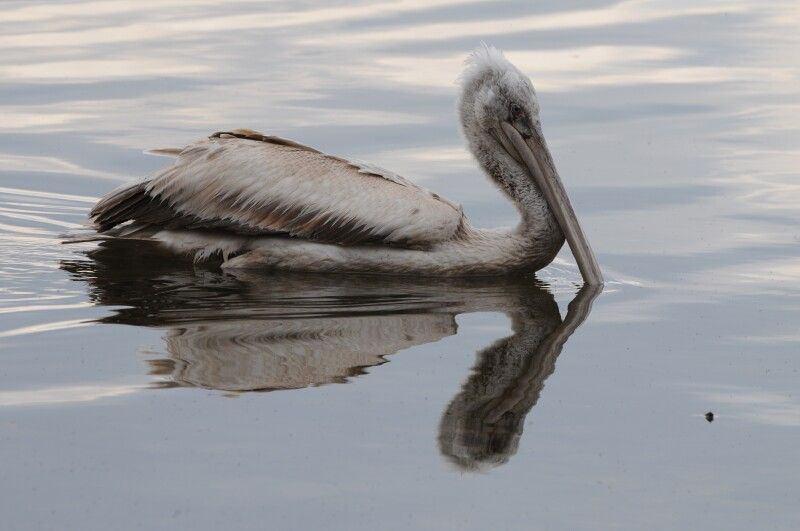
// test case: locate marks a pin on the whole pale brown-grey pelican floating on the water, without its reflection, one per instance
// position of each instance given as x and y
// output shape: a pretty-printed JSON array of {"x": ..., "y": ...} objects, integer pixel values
[{"x": 265, "y": 202}]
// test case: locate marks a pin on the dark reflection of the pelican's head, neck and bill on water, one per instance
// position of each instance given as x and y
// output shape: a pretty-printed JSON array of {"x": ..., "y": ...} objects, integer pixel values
[{"x": 482, "y": 425}]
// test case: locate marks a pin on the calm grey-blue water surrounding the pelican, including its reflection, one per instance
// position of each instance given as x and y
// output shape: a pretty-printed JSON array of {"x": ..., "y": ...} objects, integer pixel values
[{"x": 127, "y": 378}]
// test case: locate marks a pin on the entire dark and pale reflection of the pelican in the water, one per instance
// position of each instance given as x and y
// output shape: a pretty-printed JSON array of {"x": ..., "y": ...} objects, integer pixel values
[{"x": 256, "y": 332}]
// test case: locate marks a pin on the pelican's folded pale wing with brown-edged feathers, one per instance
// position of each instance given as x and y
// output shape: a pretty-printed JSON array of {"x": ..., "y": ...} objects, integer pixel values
[{"x": 249, "y": 183}]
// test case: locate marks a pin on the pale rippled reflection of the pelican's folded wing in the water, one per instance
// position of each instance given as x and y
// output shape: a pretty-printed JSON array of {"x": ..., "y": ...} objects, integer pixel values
[{"x": 241, "y": 355}]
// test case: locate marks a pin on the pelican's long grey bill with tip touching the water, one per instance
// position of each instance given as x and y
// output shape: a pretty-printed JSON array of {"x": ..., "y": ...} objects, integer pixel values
[{"x": 536, "y": 157}]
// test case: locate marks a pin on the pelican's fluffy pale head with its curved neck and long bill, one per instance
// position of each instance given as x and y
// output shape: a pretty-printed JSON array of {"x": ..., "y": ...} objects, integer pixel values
[{"x": 500, "y": 120}]
